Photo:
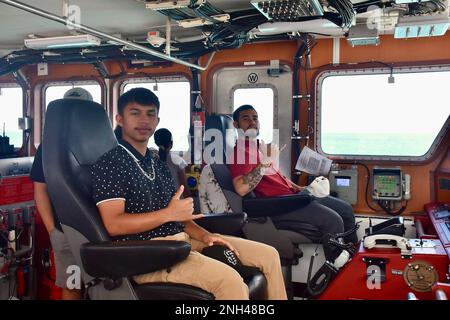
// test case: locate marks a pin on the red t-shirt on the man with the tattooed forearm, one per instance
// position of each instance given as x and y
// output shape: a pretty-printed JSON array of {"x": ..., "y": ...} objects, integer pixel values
[{"x": 246, "y": 157}]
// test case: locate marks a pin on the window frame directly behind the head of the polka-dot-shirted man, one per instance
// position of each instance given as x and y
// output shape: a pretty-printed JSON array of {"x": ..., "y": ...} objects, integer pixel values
[{"x": 160, "y": 79}]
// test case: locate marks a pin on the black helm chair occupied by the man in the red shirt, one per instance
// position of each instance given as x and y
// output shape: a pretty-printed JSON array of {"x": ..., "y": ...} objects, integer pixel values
[{"x": 259, "y": 227}]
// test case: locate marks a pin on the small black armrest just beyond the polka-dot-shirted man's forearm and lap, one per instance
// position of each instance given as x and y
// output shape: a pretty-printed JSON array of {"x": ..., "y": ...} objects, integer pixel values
[{"x": 223, "y": 223}]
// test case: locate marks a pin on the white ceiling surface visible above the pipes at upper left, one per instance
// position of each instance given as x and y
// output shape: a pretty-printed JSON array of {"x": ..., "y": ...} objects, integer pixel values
[{"x": 127, "y": 17}]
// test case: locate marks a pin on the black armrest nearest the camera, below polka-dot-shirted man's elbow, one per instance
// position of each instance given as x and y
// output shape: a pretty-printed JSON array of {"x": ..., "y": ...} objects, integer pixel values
[{"x": 114, "y": 259}]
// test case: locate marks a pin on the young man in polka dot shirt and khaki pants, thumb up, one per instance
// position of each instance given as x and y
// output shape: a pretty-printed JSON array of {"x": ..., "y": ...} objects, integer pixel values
[{"x": 136, "y": 198}]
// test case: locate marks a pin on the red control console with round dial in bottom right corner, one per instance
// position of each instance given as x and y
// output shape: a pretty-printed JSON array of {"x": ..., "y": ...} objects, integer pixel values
[{"x": 397, "y": 275}]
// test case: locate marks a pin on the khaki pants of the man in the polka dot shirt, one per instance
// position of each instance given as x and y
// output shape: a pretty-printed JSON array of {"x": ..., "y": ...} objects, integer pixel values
[{"x": 215, "y": 277}]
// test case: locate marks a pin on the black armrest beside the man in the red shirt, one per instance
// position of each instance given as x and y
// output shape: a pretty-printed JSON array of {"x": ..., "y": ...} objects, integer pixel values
[{"x": 266, "y": 207}]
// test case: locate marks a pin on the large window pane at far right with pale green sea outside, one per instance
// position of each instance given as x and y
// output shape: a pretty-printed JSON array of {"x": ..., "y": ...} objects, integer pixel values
[{"x": 369, "y": 115}]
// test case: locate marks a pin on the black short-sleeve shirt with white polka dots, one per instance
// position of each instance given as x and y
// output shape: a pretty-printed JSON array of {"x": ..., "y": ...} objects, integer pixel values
[{"x": 116, "y": 175}]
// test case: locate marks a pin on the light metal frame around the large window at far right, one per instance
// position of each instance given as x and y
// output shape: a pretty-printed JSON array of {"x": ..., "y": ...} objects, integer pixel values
[{"x": 320, "y": 78}]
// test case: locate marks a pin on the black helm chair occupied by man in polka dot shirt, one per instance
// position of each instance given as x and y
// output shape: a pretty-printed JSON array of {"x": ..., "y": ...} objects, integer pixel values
[{"x": 76, "y": 134}]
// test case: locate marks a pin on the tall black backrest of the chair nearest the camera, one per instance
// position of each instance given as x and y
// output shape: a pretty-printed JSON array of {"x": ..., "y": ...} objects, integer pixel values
[{"x": 76, "y": 134}]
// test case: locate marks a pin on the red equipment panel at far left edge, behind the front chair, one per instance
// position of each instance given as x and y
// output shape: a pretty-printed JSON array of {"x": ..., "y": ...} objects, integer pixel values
[{"x": 17, "y": 215}]
